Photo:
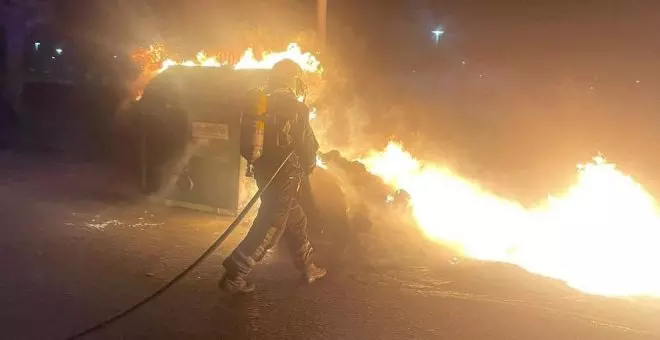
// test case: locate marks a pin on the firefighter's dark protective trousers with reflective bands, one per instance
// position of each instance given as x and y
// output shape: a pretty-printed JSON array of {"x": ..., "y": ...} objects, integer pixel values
[{"x": 280, "y": 213}]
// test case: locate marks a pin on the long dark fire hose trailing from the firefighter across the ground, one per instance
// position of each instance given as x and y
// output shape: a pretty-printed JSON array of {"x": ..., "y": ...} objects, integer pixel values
[{"x": 239, "y": 218}]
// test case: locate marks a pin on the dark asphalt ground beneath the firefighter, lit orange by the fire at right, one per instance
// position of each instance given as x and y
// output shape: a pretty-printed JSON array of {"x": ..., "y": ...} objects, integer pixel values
[{"x": 73, "y": 251}]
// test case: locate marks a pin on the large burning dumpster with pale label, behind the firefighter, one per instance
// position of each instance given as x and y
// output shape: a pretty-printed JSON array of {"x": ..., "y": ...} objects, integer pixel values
[{"x": 190, "y": 129}]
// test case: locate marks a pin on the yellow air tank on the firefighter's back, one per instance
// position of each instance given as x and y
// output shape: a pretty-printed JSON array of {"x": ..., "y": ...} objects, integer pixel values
[{"x": 253, "y": 126}]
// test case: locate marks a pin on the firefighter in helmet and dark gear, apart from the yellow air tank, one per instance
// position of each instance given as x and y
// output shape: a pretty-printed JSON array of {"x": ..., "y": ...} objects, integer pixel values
[{"x": 286, "y": 128}]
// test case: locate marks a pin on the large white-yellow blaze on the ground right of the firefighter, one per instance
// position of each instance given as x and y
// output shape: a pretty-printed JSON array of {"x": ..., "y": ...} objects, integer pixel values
[{"x": 602, "y": 236}]
